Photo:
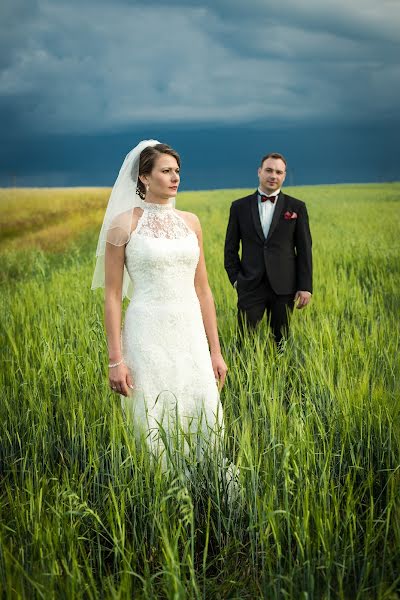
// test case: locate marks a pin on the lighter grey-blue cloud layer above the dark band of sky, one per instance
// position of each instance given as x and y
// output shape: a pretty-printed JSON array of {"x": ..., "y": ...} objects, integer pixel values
[{"x": 100, "y": 66}]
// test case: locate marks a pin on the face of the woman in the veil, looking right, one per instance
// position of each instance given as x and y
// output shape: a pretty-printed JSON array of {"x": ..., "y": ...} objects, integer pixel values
[{"x": 164, "y": 179}]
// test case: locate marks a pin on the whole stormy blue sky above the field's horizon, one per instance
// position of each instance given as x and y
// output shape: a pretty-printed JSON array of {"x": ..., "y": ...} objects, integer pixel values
[{"x": 223, "y": 81}]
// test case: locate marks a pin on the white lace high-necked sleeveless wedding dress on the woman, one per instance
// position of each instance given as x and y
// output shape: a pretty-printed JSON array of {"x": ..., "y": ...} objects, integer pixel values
[{"x": 163, "y": 338}]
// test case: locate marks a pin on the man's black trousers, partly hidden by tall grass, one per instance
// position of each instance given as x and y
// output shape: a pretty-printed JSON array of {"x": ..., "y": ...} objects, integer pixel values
[{"x": 278, "y": 308}]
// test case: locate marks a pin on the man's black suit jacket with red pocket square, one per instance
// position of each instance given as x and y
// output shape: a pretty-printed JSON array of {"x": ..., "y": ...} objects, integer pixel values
[{"x": 284, "y": 257}]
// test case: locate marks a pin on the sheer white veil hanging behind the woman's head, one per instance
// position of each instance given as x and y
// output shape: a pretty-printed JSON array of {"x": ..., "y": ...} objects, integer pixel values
[{"x": 117, "y": 223}]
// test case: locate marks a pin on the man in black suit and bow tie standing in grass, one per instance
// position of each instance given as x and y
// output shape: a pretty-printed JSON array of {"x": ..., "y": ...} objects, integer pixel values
[{"x": 274, "y": 270}]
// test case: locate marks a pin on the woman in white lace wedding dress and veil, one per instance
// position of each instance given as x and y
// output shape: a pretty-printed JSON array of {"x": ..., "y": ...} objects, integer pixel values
[{"x": 167, "y": 364}]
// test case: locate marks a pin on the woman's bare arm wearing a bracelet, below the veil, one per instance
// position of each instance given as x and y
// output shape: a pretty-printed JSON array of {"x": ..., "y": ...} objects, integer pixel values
[{"x": 119, "y": 377}]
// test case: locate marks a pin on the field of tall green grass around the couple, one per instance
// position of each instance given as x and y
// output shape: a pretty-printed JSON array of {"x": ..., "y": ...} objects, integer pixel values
[{"x": 315, "y": 432}]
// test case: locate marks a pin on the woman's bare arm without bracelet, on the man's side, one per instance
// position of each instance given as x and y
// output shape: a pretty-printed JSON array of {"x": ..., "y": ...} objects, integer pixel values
[{"x": 207, "y": 306}]
